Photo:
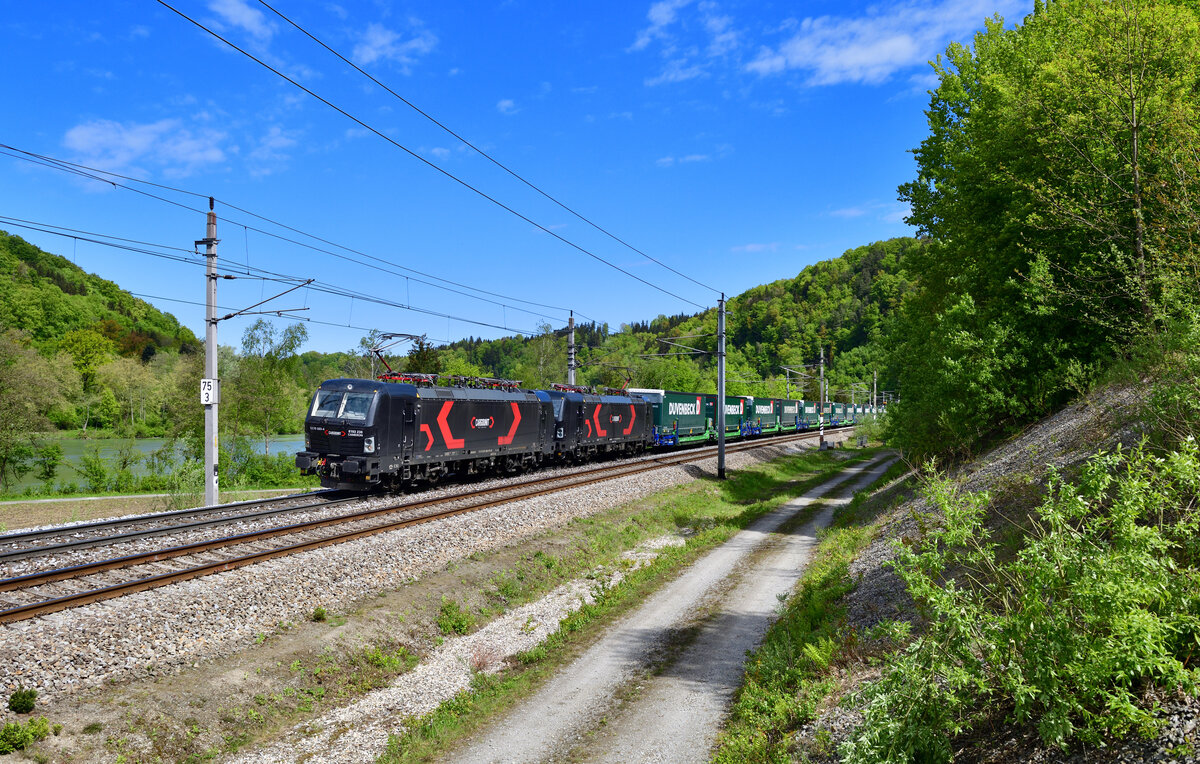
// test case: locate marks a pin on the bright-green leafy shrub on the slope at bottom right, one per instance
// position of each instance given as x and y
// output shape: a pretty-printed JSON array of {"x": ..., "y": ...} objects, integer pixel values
[{"x": 1101, "y": 601}]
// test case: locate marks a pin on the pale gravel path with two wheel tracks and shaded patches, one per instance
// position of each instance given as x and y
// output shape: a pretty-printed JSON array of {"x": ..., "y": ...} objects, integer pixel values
[{"x": 676, "y": 720}]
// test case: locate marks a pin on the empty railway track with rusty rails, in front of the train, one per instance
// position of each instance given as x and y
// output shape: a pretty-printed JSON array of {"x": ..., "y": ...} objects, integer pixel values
[{"x": 49, "y": 592}]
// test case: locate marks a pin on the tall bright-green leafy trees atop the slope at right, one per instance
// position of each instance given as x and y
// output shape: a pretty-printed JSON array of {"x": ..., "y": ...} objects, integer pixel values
[{"x": 1057, "y": 183}]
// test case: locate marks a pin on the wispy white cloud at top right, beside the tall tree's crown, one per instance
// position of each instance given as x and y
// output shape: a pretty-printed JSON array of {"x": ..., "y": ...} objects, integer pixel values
[{"x": 872, "y": 49}]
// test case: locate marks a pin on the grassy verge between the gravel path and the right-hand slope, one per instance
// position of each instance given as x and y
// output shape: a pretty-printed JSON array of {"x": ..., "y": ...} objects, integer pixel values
[{"x": 794, "y": 671}]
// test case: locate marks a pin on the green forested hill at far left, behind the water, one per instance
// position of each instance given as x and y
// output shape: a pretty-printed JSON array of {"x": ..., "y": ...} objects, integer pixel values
[{"x": 49, "y": 298}]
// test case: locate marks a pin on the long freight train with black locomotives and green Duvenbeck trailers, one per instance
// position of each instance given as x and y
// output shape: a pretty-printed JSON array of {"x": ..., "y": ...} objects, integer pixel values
[{"x": 409, "y": 429}]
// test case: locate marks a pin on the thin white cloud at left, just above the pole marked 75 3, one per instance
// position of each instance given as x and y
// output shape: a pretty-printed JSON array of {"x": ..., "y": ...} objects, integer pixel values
[{"x": 131, "y": 147}]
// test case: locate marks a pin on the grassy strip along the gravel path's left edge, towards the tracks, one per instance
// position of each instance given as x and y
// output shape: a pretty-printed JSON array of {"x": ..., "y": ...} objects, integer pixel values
[{"x": 709, "y": 512}]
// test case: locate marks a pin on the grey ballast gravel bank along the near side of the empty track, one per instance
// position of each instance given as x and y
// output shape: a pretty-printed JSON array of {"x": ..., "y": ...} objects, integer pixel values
[{"x": 164, "y": 630}]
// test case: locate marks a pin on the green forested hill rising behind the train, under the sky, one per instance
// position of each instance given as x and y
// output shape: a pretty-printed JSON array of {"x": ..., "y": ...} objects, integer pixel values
[{"x": 839, "y": 306}]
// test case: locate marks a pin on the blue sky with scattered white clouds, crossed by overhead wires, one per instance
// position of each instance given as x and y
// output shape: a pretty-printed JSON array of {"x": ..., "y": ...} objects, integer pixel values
[{"x": 735, "y": 142}]
